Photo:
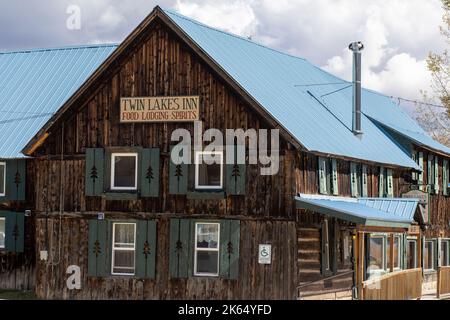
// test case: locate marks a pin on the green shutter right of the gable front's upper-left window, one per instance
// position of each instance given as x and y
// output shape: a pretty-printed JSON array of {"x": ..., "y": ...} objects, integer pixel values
[{"x": 150, "y": 173}]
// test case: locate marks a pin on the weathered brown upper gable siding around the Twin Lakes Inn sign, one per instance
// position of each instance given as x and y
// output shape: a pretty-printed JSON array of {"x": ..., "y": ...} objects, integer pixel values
[{"x": 160, "y": 66}]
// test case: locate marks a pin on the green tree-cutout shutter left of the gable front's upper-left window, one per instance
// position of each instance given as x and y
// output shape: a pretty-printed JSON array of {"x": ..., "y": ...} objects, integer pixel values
[{"x": 94, "y": 174}]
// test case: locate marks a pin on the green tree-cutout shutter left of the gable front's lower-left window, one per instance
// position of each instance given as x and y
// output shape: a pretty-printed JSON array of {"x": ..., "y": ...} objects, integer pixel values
[{"x": 99, "y": 248}]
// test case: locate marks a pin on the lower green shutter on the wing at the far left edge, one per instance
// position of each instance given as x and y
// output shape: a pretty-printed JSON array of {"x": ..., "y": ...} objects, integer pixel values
[{"x": 14, "y": 231}]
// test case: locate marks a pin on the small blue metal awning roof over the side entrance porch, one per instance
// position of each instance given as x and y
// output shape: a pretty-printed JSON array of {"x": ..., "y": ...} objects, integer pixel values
[{"x": 373, "y": 212}]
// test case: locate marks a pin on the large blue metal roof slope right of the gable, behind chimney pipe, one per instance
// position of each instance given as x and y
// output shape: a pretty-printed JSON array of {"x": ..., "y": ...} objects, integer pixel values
[{"x": 299, "y": 96}]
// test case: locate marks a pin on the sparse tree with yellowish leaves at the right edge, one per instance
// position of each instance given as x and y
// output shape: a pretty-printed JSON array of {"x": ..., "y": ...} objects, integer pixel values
[{"x": 434, "y": 119}]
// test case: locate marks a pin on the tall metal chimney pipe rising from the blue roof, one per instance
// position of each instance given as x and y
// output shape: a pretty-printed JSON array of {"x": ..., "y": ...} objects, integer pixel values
[{"x": 356, "y": 48}]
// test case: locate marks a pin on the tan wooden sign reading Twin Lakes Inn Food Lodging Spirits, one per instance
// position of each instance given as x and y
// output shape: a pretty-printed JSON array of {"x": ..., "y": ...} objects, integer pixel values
[{"x": 160, "y": 109}]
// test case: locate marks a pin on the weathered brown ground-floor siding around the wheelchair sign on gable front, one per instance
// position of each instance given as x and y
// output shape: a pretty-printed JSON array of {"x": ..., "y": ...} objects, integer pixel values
[{"x": 255, "y": 281}]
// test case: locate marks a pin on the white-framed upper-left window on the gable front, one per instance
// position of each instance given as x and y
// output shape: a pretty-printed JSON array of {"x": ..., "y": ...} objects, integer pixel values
[{"x": 124, "y": 171}]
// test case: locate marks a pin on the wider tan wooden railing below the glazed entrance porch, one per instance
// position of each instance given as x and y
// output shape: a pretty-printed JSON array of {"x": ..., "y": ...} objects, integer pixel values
[{"x": 402, "y": 285}]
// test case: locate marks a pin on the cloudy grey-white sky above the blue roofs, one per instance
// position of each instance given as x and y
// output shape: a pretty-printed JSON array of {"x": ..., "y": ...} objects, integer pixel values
[{"x": 398, "y": 34}]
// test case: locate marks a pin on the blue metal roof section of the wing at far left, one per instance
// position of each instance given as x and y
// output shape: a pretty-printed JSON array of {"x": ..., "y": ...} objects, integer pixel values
[{"x": 34, "y": 84}]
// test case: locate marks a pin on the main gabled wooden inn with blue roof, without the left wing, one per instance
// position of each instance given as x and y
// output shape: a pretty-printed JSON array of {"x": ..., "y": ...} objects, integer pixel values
[{"x": 344, "y": 208}]
